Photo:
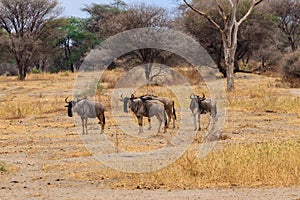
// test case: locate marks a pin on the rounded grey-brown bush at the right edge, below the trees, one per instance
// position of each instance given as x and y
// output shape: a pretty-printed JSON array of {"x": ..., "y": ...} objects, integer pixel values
[{"x": 291, "y": 68}]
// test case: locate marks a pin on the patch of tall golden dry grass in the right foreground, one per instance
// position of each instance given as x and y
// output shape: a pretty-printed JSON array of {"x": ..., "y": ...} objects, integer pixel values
[{"x": 239, "y": 165}]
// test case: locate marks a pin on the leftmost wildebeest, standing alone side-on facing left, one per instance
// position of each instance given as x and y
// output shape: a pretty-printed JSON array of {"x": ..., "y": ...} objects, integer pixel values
[{"x": 86, "y": 109}]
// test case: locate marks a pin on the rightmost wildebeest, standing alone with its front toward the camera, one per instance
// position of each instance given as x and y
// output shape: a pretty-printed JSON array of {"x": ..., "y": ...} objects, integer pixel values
[{"x": 202, "y": 105}]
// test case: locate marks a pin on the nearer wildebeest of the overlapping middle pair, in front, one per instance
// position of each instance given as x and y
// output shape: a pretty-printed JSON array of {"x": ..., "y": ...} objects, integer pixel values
[{"x": 148, "y": 108}]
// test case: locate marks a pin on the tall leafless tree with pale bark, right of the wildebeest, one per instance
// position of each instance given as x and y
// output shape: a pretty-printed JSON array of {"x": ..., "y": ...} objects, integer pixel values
[{"x": 228, "y": 28}]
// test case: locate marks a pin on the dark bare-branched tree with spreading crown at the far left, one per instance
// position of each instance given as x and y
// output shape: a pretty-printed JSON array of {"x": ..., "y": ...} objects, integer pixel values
[{"x": 24, "y": 22}]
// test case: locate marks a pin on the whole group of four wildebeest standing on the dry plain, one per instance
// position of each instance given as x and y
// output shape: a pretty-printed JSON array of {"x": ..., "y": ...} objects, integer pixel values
[{"x": 163, "y": 108}]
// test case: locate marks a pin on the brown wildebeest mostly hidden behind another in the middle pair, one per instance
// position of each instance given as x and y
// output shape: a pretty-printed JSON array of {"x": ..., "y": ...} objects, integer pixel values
[{"x": 168, "y": 103}]
